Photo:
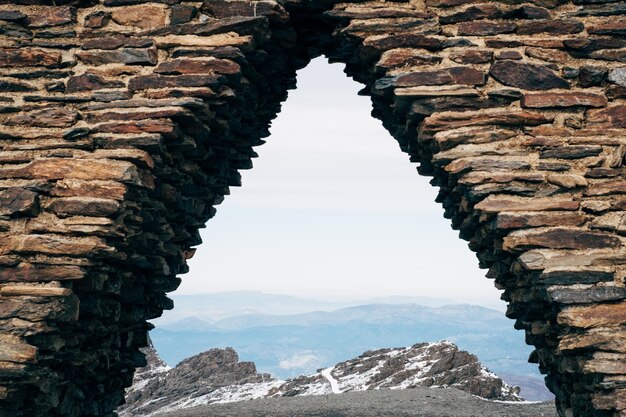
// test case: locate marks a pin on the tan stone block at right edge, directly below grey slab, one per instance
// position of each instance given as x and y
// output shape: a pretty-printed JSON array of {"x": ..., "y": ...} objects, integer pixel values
[{"x": 599, "y": 315}]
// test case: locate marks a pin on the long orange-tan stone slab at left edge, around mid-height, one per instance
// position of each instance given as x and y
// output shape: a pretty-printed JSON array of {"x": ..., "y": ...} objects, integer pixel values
[{"x": 70, "y": 168}]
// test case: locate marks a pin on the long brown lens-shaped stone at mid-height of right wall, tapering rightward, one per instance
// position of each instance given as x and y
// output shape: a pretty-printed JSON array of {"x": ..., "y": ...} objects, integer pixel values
[{"x": 560, "y": 238}]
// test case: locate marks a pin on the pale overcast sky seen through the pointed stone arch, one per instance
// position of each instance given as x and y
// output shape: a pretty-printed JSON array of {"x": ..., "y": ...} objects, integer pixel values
[{"x": 334, "y": 210}]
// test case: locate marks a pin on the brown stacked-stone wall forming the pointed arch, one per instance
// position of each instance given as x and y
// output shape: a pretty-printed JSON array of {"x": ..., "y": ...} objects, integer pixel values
[{"x": 124, "y": 122}]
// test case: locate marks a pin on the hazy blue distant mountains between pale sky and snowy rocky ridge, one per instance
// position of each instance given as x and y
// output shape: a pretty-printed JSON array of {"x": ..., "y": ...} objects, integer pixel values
[{"x": 282, "y": 338}]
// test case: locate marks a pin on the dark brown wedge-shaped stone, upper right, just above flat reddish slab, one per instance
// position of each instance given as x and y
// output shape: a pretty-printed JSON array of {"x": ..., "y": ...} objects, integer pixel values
[{"x": 526, "y": 76}]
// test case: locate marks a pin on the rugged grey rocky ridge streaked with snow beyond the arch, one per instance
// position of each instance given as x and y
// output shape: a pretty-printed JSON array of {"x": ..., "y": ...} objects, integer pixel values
[{"x": 216, "y": 376}]
